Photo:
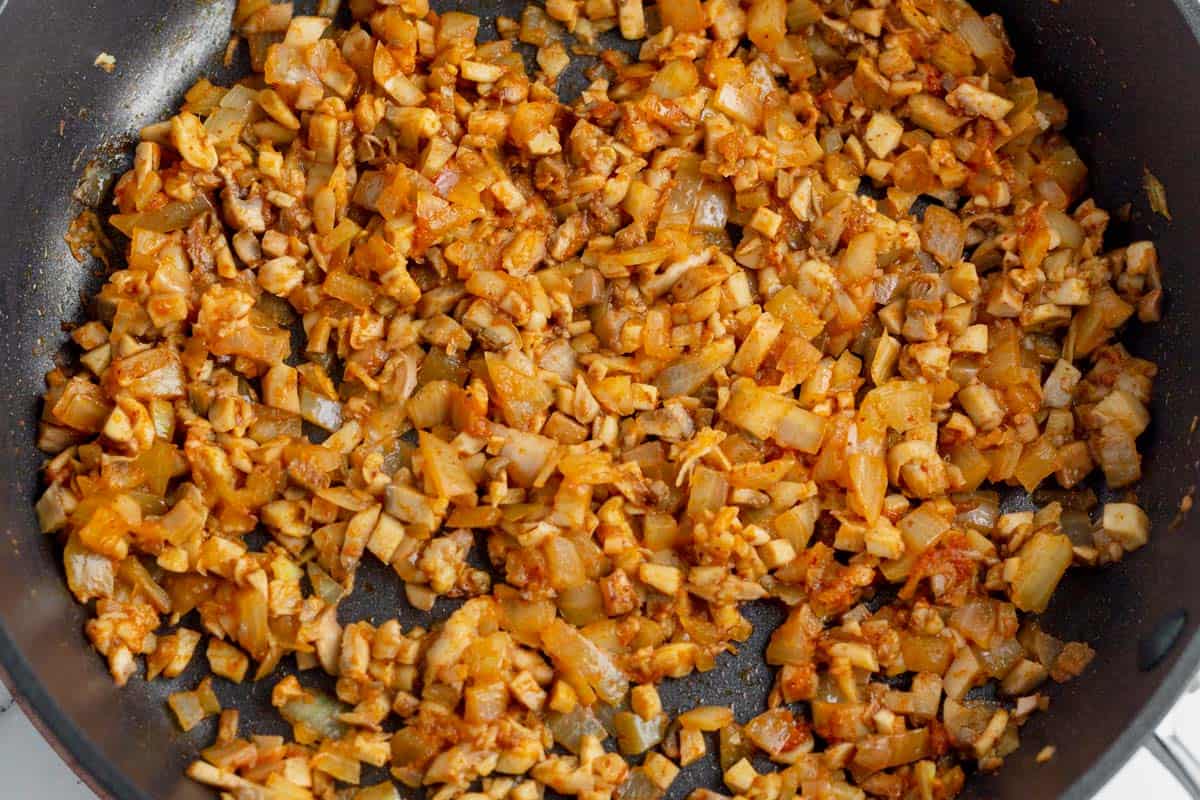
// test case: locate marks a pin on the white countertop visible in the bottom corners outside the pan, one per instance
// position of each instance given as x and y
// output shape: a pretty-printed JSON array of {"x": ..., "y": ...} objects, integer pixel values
[{"x": 32, "y": 769}]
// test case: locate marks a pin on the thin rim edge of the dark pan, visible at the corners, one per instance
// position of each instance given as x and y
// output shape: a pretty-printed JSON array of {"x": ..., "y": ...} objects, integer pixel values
[{"x": 86, "y": 760}]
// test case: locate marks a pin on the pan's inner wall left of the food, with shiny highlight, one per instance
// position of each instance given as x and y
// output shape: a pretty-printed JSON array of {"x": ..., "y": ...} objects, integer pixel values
[{"x": 61, "y": 113}]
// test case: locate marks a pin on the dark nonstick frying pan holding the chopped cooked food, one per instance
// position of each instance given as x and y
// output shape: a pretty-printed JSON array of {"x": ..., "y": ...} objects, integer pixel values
[{"x": 1130, "y": 71}]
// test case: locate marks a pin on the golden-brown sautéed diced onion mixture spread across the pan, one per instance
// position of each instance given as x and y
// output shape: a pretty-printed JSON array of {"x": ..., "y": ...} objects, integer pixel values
[{"x": 769, "y": 314}]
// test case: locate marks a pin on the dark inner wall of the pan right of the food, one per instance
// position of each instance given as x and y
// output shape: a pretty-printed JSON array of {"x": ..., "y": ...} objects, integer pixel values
[{"x": 1127, "y": 73}]
